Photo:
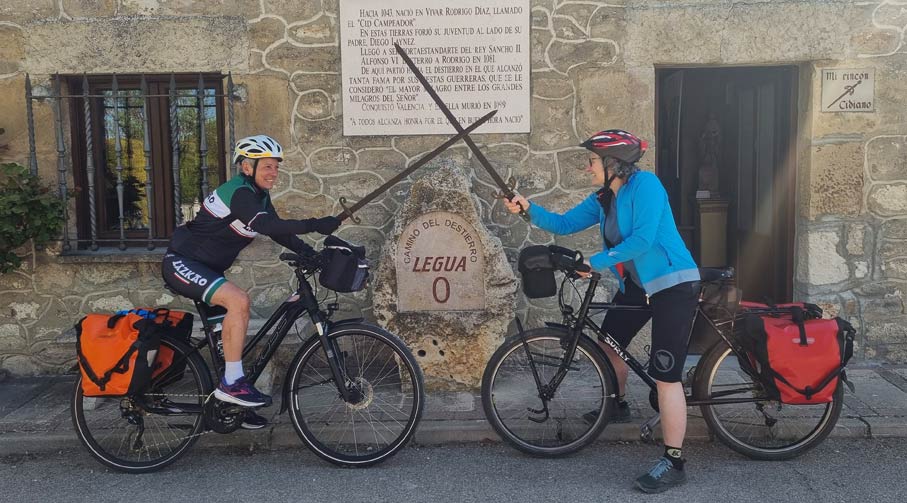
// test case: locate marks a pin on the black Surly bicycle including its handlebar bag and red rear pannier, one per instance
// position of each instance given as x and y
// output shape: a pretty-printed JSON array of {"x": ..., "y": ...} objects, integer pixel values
[{"x": 769, "y": 383}]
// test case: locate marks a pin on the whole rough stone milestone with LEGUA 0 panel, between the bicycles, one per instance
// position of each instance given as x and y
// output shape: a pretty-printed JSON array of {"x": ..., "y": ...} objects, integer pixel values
[{"x": 443, "y": 283}]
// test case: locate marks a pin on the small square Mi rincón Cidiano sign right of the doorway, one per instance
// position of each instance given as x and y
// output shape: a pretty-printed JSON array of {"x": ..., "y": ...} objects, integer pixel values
[{"x": 848, "y": 90}]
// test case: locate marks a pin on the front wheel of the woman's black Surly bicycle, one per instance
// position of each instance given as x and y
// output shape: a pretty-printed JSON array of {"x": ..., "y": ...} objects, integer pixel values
[{"x": 511, "y": 400}]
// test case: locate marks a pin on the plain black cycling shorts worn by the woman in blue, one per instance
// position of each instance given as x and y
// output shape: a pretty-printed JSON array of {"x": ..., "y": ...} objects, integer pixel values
[{"x": 672, "y": 313}]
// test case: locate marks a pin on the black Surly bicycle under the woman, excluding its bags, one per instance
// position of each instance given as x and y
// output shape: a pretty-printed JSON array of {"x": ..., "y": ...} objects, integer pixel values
[{"x": 539, "y": 383}]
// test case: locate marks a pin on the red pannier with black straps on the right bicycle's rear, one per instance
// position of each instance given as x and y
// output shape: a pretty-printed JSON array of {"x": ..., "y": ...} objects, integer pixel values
[{"x": 802, "y": 356}]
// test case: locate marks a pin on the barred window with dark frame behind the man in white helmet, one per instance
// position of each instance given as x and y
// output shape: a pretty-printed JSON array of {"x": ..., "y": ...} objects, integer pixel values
[{"x": 124, "y": 152}]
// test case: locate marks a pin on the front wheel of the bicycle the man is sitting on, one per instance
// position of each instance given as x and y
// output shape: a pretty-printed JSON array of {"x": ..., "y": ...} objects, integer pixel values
[{"x": 380, "y": 420}]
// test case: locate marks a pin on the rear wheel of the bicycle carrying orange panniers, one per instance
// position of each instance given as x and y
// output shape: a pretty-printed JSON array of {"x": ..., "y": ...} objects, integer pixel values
[{"x": 146, "y": 432}]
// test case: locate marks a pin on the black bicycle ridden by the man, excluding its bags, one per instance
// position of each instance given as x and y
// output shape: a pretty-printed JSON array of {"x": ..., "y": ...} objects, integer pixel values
[{"x": 354, "y": 391}]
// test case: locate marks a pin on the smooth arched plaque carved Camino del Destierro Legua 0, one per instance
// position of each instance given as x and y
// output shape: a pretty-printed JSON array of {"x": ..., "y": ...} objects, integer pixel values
[{"x": 440, "y": 265}]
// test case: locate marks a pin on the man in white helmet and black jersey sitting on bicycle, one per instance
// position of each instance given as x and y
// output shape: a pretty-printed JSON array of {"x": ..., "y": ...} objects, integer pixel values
[{"x": 201, "y": 250}]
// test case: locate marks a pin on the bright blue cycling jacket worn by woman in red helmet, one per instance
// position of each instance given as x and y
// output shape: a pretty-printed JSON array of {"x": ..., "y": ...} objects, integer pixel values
[{"x": 651, "y": 239}]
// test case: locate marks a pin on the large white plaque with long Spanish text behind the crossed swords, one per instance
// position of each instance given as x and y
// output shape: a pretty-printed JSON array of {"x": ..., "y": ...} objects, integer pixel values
[{"x": 475, "y": 54}]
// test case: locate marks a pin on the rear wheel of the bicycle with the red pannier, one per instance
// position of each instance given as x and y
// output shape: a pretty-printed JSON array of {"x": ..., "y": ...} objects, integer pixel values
[{"x": 764, "y": 428}]
